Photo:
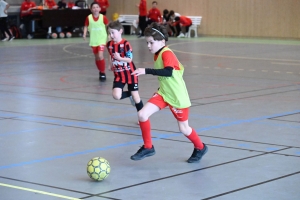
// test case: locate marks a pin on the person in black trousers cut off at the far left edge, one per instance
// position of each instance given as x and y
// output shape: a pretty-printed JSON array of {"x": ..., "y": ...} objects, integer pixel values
[{"x": 3, "y": 21}]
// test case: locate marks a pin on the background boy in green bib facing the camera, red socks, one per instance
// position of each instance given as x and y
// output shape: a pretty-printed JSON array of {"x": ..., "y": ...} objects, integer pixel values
[{"x": 96, "y": 23}]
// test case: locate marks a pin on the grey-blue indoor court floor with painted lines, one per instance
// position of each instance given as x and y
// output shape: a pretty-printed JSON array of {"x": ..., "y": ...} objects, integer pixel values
[{"x": 55, "y": 116}]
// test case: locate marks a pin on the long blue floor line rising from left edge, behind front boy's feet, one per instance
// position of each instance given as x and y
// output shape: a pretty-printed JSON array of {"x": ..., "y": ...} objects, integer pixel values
[{"x": 140, "y": 141}]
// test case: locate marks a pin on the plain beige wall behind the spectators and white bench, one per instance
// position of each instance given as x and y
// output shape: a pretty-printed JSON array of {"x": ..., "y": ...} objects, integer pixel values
[{"x": 240, "y": 18}]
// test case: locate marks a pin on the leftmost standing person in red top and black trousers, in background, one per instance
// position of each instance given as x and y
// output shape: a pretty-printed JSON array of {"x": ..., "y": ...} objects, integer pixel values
[{"x": 26, "y": 16}]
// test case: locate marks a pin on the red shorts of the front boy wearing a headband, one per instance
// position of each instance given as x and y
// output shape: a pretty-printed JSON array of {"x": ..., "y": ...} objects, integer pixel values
[{"x": 181, "y": 114}]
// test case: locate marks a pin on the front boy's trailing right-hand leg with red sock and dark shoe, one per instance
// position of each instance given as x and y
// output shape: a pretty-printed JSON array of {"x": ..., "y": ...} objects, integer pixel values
[{"x": 199, "y": 147}]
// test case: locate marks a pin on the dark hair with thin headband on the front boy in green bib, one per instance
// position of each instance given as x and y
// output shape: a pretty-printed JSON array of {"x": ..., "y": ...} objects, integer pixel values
[{"x": 157, "y": 31}]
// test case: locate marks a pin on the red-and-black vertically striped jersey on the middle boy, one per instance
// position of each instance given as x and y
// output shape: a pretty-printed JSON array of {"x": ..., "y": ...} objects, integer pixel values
[{"x": 122, "y": 70}]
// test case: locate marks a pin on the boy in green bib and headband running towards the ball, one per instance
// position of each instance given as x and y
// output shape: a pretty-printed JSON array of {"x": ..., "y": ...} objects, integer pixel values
[{"x": 172, "y": 92}]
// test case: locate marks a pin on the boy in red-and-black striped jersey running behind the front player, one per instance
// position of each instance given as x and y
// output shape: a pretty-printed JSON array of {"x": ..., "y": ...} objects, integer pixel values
[{"x": 121, "y": 64}]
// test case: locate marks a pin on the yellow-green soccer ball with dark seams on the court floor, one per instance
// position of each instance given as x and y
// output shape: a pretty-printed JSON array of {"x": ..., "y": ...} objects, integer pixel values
[{"x": 98, "y": 168}]
